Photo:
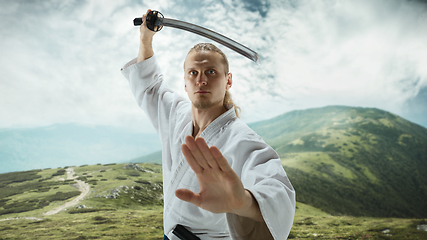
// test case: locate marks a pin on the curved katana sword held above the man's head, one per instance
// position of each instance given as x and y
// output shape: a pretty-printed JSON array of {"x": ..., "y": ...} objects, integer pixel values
[{"x": 155, "y": 22}]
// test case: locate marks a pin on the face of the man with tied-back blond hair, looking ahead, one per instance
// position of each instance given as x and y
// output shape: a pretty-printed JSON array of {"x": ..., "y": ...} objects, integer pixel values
[{"x": 205, "y": 79}]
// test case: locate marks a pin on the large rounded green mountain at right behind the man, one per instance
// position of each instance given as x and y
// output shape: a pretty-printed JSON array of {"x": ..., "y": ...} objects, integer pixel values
[{"x": 352, "y": 161}]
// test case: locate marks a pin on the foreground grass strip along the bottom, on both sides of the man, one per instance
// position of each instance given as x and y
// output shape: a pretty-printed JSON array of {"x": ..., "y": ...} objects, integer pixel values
[{"x": 146, "y": 222}]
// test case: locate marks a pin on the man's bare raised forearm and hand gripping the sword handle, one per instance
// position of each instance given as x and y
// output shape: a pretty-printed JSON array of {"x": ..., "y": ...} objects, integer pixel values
[{"x": 146, "y": 41}]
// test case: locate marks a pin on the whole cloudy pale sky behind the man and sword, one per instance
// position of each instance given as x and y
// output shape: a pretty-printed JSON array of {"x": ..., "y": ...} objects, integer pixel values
[{"x": 60, "y": 60}]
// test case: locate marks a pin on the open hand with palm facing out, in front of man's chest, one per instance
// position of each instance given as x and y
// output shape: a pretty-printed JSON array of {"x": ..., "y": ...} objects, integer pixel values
[{"x": 221, "y": 190}]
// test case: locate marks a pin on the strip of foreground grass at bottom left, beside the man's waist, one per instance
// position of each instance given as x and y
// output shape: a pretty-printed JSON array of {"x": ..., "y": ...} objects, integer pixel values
[{"x": 143, "y": 223}]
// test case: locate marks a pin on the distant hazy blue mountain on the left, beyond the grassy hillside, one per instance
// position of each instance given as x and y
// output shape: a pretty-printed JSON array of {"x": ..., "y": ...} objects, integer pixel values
[{"x": 71, "y": 144}]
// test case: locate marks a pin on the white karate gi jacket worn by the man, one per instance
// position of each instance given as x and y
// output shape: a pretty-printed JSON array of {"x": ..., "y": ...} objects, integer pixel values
[{"x": 255, "y": 162}]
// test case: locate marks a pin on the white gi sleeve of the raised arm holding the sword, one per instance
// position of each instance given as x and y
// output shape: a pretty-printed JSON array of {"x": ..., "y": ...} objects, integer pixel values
[{"x": 152, "y": 95}]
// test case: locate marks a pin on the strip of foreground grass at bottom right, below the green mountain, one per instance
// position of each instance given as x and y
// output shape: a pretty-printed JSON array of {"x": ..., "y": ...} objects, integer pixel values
[{"x": 312, "y": 223}]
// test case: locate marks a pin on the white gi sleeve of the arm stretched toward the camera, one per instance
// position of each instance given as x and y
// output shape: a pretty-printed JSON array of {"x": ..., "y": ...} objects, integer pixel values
[{"x": 263, "y": 175}]
